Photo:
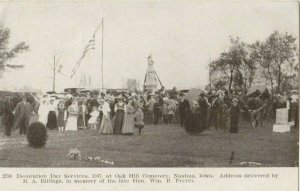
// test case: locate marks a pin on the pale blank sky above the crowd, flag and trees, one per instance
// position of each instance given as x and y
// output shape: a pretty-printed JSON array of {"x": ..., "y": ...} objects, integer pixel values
[{"x": 182, "y": 38}]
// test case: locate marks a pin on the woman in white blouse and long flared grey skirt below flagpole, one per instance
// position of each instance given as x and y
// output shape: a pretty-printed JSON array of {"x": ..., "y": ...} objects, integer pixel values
[{"x": 106, "y": 126}]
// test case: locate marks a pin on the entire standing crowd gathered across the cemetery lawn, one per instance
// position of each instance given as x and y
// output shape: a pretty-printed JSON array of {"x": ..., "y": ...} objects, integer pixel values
[{"x": 122, "y": 113}]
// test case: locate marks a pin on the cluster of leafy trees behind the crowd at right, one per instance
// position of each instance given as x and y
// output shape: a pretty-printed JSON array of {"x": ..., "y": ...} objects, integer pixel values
[{"x": 272, "y": 62}]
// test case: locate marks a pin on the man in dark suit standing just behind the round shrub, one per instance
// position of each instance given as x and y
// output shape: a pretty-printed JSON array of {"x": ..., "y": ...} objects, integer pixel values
[{"x": 22, "y": 114}]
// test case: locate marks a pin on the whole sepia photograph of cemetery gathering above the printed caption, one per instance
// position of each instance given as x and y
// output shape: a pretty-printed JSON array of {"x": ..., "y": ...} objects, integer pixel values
[{"x": 92, "y": 84}]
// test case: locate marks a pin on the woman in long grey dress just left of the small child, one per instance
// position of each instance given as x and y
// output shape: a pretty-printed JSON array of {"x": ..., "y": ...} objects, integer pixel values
[{"x": 128, "y": 126}]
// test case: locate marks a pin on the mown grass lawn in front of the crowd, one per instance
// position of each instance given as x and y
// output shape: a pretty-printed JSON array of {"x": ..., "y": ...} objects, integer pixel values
[{"x": 158, "y": 146}]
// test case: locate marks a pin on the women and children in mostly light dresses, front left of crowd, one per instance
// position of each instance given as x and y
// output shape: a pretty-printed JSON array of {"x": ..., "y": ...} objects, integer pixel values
[{"x": 106, "y": 113}]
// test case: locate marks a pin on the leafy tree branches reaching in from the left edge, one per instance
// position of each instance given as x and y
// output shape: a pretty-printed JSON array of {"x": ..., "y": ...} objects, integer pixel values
[{"x": 7, "y": 54}]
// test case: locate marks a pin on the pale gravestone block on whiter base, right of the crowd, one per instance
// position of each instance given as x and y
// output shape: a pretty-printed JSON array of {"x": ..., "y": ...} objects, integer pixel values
[{"x": 282, "y": 124}]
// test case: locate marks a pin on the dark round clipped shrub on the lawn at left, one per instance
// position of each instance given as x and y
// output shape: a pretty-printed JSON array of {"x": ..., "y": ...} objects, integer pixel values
[{"x": 37, "y": 135}]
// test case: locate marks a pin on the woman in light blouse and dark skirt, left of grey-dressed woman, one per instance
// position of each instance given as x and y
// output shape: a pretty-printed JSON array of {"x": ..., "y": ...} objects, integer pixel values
[{"x": 119, "y": 117}]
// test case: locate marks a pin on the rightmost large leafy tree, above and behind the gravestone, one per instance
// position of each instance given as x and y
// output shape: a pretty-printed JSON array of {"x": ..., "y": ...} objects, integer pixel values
[{"x": 276, "y": 57}]
